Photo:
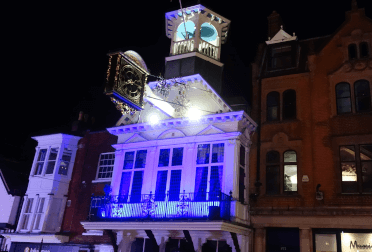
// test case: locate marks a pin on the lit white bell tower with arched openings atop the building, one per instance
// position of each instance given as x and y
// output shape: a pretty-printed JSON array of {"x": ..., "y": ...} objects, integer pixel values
[{"x": 196, "y": 35}]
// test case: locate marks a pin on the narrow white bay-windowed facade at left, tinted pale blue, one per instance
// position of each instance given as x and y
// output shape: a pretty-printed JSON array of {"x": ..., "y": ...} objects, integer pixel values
[{"x": 46, "y": 195}]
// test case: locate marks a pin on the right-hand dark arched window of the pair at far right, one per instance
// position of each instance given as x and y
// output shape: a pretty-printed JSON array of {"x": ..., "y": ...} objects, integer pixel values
[{"x": 362, "y": 96}]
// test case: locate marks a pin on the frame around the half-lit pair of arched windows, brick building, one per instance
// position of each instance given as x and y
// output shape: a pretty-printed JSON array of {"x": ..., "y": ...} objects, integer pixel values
[{"x": 280, "y": 176}]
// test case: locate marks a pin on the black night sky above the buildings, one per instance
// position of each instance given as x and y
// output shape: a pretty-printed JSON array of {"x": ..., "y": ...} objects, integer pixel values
[{"x": 54, "y": 59}]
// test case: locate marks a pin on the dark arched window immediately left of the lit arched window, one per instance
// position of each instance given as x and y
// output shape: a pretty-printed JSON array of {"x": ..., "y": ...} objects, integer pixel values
[{"x": 272, "y": 173}]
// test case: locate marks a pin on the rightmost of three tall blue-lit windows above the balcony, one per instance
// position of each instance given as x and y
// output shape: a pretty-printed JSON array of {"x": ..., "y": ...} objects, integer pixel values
[{"x": 211, "y": 157}]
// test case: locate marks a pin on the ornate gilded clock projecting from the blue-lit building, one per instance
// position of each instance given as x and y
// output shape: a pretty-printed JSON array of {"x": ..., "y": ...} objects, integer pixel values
[{"x": 126, "y": 79}]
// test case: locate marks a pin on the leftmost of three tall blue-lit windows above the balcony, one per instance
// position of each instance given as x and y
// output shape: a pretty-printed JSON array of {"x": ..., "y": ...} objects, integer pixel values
[{"x": 132, "y": 176}]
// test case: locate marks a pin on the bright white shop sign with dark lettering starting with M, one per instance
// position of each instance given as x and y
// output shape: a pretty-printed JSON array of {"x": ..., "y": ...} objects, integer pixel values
[{"x": 357, "y": 242}]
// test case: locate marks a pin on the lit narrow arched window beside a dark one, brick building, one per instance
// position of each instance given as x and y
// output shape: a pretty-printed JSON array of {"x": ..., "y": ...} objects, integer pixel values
[{"x": 290, "y": 171}]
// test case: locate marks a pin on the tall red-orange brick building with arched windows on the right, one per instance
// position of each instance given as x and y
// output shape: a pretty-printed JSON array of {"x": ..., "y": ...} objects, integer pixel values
[{"x": 311, "y": 161}]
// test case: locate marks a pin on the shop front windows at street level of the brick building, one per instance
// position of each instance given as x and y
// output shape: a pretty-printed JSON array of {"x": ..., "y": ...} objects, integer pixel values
[{"x": 337, "y": 240}]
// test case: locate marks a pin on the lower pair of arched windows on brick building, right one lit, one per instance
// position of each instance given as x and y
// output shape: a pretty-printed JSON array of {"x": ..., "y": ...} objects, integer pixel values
[{"x": 281, "y": 176}]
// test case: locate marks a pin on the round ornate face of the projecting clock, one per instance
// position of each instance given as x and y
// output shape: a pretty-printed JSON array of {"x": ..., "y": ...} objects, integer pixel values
[{"x": 130, "y": 83}]
